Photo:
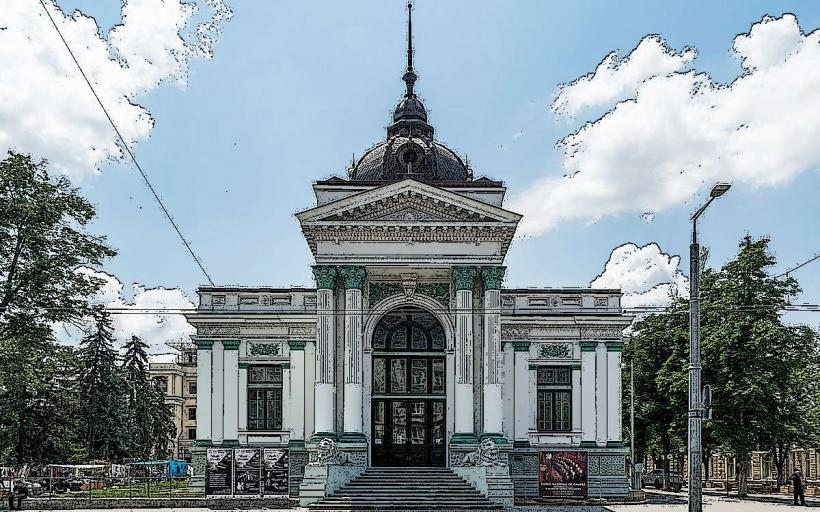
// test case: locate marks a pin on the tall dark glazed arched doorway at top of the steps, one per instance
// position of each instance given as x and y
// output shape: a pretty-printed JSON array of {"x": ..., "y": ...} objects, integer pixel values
[{"x": 409, "y": 390}]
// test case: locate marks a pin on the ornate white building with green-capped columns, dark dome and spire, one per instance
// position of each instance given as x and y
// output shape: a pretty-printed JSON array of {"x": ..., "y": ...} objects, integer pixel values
[{"x": 409, "y": 351}]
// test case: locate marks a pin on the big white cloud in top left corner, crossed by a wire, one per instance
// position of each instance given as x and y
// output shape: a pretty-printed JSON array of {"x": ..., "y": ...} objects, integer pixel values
[{"x": 46, "y": 108}]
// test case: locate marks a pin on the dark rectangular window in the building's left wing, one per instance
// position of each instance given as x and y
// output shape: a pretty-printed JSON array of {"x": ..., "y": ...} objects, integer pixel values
[{"x": 265, "y": 398}]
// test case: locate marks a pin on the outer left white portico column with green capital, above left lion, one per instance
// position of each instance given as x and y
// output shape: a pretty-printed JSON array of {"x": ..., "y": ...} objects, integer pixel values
[{"x": 325, "y": 390}]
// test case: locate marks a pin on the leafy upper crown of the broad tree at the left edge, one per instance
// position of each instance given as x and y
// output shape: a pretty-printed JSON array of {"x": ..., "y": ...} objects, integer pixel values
[{"x": 43, "y": 240}]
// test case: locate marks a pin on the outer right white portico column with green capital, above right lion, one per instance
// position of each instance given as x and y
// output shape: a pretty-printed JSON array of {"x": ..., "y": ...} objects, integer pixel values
[{"x": 493, "y": 357}]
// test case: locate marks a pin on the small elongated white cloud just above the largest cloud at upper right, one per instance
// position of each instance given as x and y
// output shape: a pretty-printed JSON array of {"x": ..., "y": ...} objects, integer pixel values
[{"x": 617, "y": 78}]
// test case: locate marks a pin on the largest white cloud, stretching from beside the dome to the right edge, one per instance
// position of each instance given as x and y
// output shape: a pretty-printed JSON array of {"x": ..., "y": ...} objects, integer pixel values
[{"x": 679, "y": 132}]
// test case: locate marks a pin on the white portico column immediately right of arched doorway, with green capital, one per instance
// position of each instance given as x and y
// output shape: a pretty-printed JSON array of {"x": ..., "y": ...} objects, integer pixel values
[{"x": 463, "y": 281}]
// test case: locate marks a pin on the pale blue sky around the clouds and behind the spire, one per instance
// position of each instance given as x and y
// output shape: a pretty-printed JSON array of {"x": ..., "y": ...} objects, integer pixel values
[{"x": 296, "y": 88}]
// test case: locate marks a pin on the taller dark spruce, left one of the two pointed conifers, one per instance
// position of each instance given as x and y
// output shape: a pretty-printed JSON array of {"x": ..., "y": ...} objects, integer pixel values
[{"x": 102, "y": 392}]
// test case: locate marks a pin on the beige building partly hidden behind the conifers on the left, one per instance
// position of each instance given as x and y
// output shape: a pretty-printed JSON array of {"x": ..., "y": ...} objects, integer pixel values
[{"x": 179, "y": 380}]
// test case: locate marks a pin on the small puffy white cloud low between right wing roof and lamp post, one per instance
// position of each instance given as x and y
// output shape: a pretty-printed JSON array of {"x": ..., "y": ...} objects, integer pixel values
[{"x": 646, "y": 275}]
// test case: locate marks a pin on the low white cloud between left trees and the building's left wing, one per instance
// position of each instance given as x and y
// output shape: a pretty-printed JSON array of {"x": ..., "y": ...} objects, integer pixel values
[{"x": 154, "y": 328}]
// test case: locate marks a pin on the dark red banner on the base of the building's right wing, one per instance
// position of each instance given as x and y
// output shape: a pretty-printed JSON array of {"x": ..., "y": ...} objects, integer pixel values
[{"x": 562, "y": 475}]
